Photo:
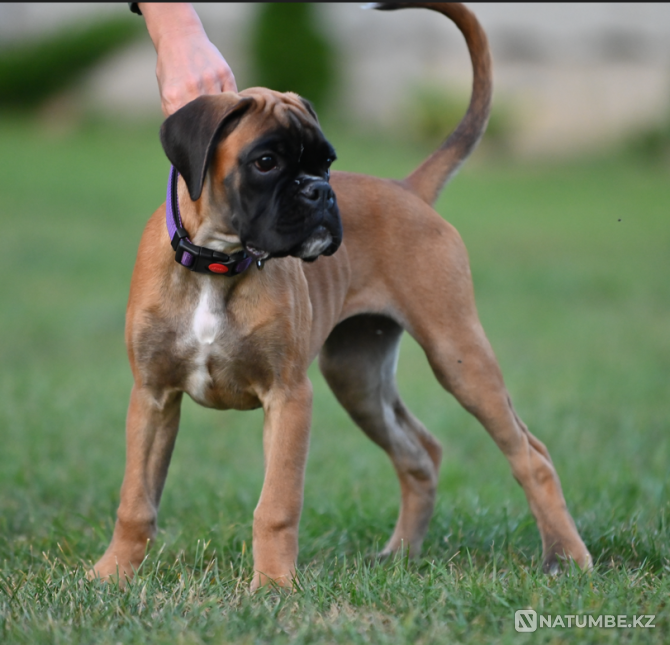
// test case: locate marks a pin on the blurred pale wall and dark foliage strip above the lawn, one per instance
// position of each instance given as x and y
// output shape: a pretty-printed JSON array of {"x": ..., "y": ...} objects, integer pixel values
[{"x": 570, "y": 78}]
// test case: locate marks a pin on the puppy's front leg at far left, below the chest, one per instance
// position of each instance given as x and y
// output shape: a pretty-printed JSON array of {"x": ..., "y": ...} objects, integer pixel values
[{"x": 151, "y": 430}]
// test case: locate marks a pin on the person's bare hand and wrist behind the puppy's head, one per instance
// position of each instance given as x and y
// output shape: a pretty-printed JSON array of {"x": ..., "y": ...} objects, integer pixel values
[{"x": 188, "y": 65}]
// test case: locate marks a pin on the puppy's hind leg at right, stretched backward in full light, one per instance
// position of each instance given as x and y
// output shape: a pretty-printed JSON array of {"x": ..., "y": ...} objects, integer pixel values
[{"x": 443, "y": 319}]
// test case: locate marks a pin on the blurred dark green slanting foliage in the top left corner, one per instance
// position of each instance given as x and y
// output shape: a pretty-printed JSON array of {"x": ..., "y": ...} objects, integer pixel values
[{"x": 32, "y": 71}]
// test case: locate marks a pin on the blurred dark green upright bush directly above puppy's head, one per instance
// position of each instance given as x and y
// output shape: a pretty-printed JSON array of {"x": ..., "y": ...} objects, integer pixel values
[{"x": 289, "y": 53}]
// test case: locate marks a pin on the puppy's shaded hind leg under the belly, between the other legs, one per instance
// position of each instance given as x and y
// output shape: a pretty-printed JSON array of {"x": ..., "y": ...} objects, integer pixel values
[{"x": 359, "y": 361}]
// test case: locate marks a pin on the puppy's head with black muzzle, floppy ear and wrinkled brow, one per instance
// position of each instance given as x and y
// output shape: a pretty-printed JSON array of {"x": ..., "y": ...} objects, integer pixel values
[{"x": 263, "y": 161}]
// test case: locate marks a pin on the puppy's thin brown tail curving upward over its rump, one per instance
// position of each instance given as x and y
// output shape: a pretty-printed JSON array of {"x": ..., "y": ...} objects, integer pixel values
[{"x": 432, "y": 175}]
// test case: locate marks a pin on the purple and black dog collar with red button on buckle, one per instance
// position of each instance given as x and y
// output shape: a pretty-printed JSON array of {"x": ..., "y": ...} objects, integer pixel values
[{"x": 197, "y": 258}]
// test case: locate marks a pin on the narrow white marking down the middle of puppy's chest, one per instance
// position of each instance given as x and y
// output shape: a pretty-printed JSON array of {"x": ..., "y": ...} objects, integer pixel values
[{"x": 205, "y": 327}]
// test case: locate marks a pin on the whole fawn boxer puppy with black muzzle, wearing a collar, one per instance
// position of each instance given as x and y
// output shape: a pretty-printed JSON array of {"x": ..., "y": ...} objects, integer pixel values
[{"x": 247, "y": 306}]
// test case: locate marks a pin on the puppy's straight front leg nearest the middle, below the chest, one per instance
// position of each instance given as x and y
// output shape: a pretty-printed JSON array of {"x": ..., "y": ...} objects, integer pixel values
[{"x": 276, "y": 518}]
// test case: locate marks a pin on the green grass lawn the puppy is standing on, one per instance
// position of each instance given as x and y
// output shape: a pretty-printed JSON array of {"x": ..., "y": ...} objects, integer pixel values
[{"x": 571, "y": 265}]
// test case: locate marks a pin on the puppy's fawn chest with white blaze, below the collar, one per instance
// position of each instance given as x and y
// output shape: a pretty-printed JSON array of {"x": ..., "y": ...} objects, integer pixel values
[{"x": 226, "y": 348}]
